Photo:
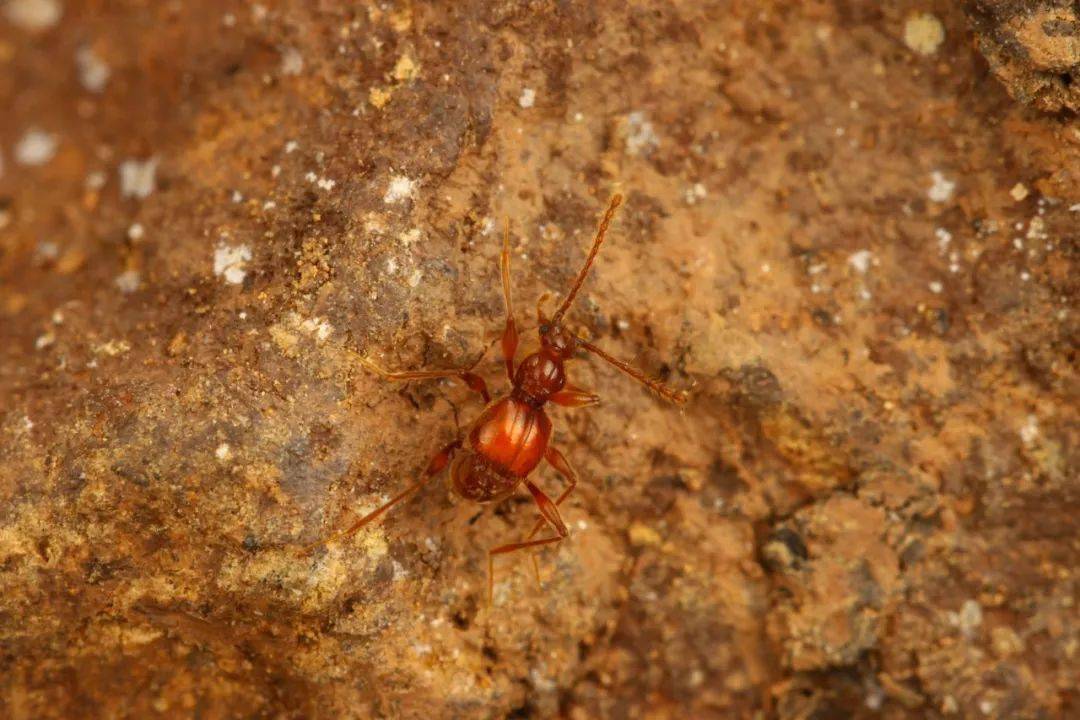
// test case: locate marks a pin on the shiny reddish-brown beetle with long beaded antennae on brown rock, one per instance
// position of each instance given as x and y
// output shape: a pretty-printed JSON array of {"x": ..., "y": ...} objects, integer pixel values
[{"x": 512, "y": 434}]
